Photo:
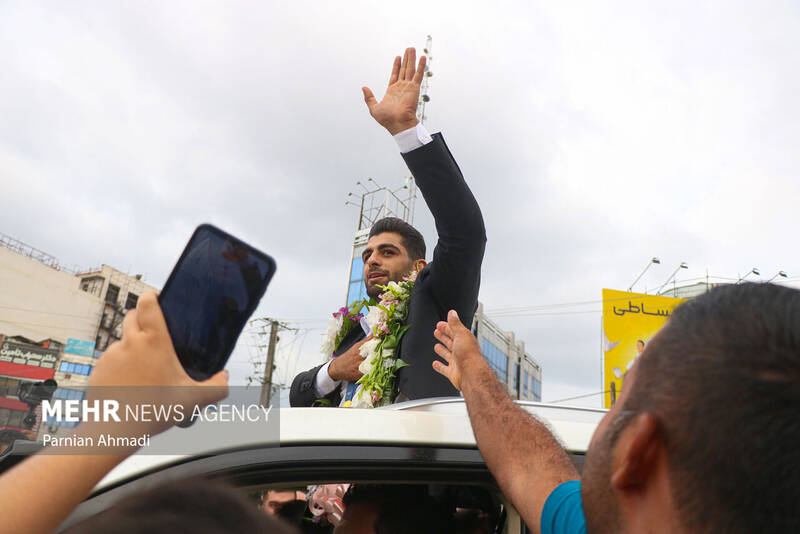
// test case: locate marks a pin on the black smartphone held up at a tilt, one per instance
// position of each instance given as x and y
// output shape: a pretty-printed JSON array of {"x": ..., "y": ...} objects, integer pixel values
[{"x": 209, "y": 296}]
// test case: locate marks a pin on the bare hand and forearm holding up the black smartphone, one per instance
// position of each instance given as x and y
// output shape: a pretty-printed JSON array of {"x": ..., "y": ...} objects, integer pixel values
[{"x": 144, "y": 357}]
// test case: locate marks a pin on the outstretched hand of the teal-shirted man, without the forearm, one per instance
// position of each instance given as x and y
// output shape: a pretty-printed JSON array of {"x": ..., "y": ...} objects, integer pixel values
[{"x": 457, "y": 347}]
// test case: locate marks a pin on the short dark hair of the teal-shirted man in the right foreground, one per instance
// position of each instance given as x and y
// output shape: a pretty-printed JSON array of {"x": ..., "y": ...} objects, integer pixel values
[{"x": 723, "y": 379}]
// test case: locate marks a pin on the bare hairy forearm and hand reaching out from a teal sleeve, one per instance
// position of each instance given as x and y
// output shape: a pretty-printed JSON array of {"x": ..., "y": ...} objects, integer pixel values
[{"x": 525, "y": 458}]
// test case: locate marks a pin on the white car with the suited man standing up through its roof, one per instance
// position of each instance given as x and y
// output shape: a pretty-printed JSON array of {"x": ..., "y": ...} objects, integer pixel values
[{"x": 427, "y": 443}]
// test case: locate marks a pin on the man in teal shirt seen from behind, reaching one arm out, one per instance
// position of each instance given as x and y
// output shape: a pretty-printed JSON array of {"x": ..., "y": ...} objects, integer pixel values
[{"x": 703, "y": 437}]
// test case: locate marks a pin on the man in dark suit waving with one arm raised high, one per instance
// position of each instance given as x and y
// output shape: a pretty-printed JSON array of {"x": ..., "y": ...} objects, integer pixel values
[{"x": 450, "y": 281}]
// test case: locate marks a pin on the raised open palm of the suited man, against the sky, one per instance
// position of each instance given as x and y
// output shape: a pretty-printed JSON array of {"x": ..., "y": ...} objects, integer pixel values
[{"x": 398, "y": 109}]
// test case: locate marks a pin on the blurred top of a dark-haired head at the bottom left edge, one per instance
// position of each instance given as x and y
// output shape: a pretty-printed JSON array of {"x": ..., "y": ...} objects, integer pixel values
[{"x": 197, "y": 506}]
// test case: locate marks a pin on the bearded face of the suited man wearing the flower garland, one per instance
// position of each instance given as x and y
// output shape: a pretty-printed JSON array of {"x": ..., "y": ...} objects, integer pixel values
[{"x": 385, "y": 260}]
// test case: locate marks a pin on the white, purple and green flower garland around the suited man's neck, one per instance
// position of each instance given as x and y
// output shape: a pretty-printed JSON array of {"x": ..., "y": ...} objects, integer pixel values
[{"x": 387, "y": 322}]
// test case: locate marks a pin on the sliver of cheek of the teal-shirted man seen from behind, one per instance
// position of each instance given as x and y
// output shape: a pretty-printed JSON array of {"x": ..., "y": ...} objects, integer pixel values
[{"x": 599, "y": 501}]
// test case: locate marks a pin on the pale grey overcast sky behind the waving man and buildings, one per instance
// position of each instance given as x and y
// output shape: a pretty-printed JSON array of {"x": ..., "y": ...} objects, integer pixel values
[{"x": 594, "y": 136}]
